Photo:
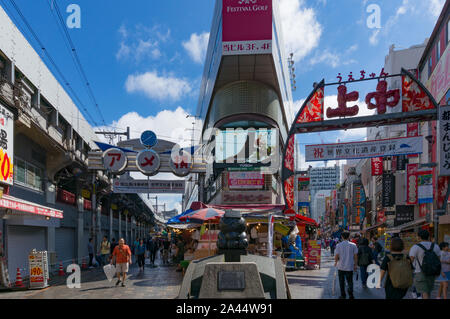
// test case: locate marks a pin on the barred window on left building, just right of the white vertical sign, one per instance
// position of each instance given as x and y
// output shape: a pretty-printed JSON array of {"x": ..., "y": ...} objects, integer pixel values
[{"x": 28, "y": 175}]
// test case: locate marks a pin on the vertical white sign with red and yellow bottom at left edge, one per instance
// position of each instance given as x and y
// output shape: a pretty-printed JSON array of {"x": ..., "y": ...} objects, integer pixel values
[{"x": 6, "y": 146}]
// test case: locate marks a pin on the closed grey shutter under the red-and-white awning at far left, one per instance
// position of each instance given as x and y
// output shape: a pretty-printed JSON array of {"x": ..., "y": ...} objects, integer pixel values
[{"x": 20, "y": 241}]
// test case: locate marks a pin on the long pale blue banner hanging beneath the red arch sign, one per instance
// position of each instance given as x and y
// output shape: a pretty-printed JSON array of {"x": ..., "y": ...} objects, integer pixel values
[{"x": 365, "y": 149}]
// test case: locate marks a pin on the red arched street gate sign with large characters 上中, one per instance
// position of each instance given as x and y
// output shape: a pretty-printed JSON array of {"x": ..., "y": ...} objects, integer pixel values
[{"x": 417, "y": 105}]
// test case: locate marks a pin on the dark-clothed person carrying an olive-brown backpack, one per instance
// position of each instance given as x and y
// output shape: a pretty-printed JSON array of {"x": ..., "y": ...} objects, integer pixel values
[{"x": 397, "y": 268}]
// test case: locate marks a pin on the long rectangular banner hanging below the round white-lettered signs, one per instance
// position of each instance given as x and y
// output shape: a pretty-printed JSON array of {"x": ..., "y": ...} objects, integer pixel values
[{"x": 148, "y": 186}]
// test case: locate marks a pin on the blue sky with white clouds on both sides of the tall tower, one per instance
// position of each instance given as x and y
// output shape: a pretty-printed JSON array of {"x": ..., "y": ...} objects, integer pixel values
[{"x": 144, "y": 59}]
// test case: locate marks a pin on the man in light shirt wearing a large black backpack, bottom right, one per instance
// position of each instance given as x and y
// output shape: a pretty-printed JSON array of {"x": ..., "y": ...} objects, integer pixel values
[{"x": 426, "y": 262}]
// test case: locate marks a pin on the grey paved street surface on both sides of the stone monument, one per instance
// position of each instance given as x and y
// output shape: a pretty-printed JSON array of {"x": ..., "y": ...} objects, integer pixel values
[{"x": 163, "y": 282}]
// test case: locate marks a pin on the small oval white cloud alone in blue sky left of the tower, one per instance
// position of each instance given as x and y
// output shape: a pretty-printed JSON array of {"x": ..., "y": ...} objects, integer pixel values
[{"x": 158, "y": 87}]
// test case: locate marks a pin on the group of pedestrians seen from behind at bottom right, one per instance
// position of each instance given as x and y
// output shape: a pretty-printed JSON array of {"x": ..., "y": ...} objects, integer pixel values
[{"x": 418, "y": 269}]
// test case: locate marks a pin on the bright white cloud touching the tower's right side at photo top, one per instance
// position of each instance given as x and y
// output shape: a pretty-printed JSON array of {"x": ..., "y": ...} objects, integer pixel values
[{"x": 301, "y": 30}]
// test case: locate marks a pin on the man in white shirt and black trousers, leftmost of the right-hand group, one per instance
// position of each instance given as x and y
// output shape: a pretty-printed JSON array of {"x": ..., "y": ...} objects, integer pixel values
[{"x": 346, "y": 261}]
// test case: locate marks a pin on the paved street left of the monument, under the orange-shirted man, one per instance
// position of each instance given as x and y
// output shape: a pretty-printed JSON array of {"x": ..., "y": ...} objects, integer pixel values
[{"x": 162, "y": 282}]
